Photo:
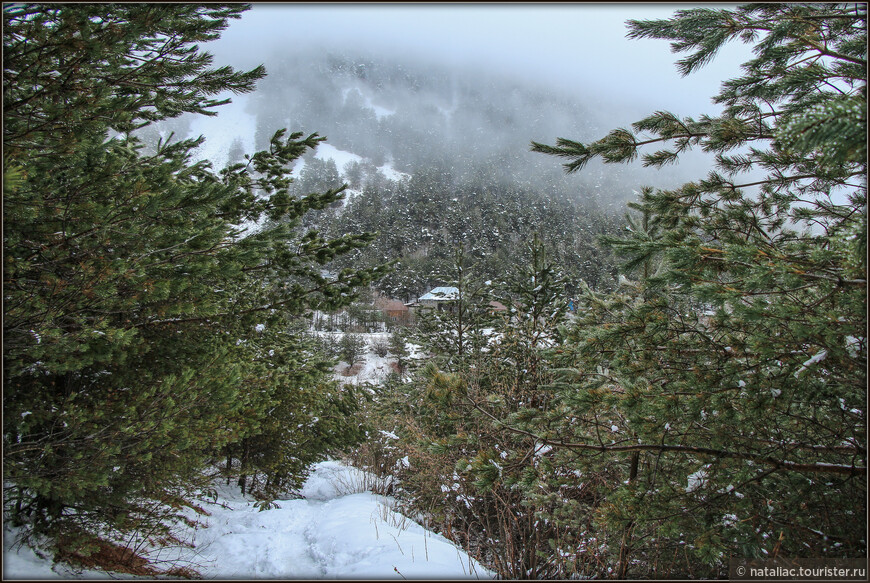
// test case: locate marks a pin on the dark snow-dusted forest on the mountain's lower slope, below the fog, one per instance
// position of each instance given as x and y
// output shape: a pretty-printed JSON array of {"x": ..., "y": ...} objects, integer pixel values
[{"x": 421, "y": 221}]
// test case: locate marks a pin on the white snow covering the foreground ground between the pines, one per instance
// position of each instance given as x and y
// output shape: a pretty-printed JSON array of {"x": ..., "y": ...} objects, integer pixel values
[{"x": 337, "y": 530}]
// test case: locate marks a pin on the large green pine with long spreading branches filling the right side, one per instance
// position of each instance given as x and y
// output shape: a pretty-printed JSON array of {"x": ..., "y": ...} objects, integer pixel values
[{"x": 738, "y": 370}]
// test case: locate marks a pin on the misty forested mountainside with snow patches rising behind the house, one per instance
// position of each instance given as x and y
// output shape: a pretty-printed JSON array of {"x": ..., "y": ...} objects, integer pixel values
[{"x": 456, "y": 142}]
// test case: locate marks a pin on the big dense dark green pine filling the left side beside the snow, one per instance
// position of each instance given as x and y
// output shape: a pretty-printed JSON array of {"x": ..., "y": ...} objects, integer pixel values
[{"x": 142, "y": 290}]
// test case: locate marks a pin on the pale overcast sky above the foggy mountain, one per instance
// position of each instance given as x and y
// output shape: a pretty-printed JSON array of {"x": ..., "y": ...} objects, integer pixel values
[{"x": 575, "y": 46}]
